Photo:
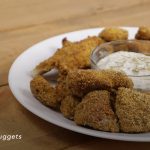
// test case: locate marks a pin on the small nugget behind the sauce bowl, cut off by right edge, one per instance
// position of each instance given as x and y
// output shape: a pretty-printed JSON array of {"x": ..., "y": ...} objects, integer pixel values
[{"x": 143, "y": 33}]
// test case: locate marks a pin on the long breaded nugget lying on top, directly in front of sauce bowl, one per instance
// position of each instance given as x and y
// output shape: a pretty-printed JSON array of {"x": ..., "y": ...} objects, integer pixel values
[{"x": 80, "y": 82}]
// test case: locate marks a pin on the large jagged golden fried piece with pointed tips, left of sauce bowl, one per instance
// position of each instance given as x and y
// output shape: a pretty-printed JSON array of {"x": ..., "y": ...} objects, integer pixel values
[{"x": 70, "y": 56}]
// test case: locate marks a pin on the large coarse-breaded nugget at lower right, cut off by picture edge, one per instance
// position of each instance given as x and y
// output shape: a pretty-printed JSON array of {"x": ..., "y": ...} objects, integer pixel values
[{"x": 133, "y": 110}]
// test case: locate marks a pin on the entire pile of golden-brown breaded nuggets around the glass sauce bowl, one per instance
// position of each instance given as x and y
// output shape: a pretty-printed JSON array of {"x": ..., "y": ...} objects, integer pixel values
[{"x": 103, "y": 100}]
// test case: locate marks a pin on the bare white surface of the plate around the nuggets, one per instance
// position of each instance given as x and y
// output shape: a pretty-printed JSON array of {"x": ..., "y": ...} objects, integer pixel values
[{"x": 20, "y": 77}]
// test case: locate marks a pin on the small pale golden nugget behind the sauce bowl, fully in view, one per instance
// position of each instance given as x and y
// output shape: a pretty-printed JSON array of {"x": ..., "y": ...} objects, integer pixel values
[{"x": 113, "y": 34}]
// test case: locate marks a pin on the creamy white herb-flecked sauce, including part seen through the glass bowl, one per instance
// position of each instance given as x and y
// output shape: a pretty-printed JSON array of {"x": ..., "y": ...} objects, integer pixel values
[{"x": 136, "y": 65}]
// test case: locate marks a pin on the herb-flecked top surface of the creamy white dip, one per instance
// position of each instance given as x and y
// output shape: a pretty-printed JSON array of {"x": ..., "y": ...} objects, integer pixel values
[{"x": 133, "y": 64}]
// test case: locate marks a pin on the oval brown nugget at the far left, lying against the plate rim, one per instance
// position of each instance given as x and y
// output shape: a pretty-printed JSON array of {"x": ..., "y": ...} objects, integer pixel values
[{"x": 44, "y": 92}]
